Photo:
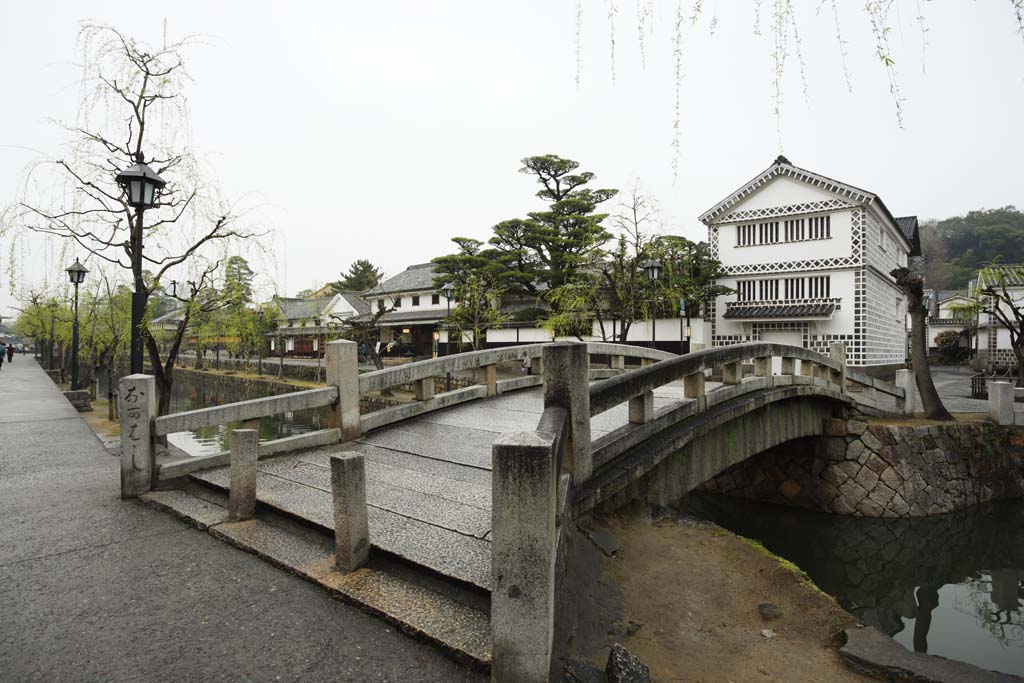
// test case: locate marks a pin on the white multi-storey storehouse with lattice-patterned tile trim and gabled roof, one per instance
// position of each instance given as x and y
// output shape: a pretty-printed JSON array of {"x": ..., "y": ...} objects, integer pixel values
[{"x": 809, "y": 260}]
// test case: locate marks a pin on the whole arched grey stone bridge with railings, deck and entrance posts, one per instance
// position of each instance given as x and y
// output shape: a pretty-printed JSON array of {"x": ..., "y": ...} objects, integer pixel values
[{"x": 480, "y": 486}]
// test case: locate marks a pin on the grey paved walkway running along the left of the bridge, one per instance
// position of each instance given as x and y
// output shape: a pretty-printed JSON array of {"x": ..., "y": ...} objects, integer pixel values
[{"x": 98, "y": 589}]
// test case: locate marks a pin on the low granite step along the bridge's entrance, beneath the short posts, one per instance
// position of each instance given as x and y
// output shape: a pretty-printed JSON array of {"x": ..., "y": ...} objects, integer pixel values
[{"x": 452, "y": 617}]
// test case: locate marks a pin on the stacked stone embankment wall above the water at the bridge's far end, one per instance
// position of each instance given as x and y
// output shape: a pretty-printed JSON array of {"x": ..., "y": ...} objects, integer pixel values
[{"x": 885, "y": 471}]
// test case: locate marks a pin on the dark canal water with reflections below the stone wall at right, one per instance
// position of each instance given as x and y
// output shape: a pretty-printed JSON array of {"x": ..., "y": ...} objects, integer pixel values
[{"x": 952, "y": 585}]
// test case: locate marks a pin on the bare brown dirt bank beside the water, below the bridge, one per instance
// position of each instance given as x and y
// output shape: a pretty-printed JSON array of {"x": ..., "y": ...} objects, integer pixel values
[{"x": 684, "y": 596}]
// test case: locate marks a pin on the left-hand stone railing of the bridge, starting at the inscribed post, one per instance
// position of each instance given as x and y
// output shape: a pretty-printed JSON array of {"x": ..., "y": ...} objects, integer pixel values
[{"x": 141, "y": 430}]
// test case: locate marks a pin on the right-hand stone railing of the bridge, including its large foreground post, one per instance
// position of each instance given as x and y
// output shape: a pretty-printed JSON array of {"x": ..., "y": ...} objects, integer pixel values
[{"x": 542, "y": 479}]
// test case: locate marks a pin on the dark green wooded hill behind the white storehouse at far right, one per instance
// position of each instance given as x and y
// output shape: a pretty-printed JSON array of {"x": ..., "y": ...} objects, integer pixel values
[{"x": 957, "y": 247}]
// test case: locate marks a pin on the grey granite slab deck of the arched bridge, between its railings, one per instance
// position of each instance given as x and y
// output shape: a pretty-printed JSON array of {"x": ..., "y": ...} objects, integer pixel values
[{"x": 429, "y": 480}]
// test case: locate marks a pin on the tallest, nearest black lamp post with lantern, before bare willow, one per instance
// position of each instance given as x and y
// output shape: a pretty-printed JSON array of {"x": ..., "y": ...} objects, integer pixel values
[{"x": 142, "y": 187}]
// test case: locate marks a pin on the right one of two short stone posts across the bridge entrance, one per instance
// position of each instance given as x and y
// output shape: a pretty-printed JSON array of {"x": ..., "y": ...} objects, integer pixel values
[{"x": 352, "y": 529}]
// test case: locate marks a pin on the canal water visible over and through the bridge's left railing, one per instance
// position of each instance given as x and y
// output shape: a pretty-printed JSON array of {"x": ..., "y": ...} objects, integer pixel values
[{"x": 191, "y": 395}]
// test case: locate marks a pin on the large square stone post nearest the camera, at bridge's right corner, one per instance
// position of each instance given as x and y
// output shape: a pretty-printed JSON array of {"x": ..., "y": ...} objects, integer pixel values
[{"x": 523, "y": 557}]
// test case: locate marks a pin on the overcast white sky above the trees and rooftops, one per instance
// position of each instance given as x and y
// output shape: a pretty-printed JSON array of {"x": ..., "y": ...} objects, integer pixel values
[{"x": 381, "y": 130}]
